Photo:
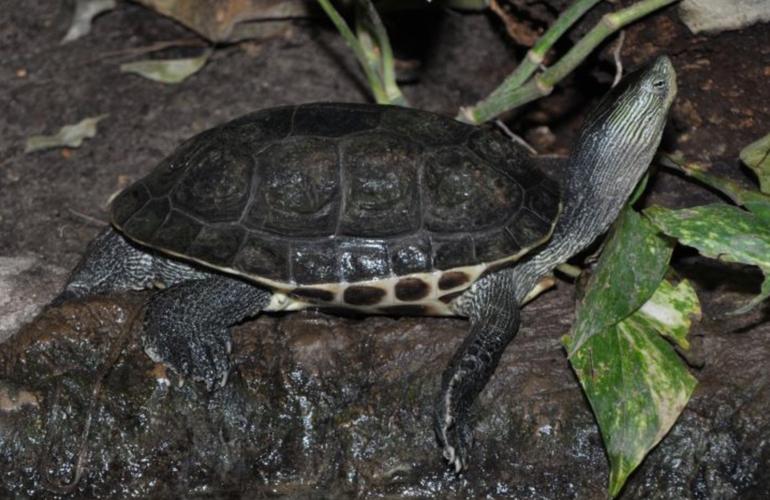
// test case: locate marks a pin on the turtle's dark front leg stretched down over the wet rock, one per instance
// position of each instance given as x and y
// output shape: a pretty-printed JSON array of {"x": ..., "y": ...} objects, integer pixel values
[{"x": 494, "y": 317}]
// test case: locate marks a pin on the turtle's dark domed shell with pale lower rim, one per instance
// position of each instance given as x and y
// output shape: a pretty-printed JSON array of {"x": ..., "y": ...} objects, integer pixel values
[{"x": 329, "y": 194}]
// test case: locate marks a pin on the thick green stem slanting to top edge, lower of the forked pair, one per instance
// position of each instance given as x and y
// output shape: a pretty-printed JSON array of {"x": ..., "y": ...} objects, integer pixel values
[{"x": 504, "y": 99}]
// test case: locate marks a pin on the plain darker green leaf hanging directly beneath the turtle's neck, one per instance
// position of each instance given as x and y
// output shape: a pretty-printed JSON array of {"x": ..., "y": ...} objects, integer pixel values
[{"x": 629, "y": 270}]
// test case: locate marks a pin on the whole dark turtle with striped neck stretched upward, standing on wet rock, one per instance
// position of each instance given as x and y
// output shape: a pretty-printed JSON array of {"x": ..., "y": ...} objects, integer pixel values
[{"x": 373, "y": 208}]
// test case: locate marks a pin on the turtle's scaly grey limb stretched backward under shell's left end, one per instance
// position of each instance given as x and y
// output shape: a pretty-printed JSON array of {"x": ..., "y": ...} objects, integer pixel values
[{"x": 112, "y": 263}]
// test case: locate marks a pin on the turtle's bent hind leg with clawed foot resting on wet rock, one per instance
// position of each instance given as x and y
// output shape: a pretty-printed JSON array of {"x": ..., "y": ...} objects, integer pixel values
[{"x": 187, "y": 325}]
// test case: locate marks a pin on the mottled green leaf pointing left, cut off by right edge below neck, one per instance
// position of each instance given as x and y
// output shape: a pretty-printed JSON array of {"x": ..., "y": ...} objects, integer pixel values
[{"x": 721, "y": 232}]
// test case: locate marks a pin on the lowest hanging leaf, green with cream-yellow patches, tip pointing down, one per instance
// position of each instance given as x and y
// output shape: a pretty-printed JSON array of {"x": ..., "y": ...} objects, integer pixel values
[{"x": 634, "y": 380}]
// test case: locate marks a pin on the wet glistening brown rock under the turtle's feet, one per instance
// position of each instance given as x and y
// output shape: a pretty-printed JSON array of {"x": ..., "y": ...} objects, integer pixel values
[{"x": 319, "y": 405}]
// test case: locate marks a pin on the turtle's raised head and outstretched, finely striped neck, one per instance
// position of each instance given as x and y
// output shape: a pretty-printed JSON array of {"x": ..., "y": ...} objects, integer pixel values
[{"x": 613, "y": 151}]
